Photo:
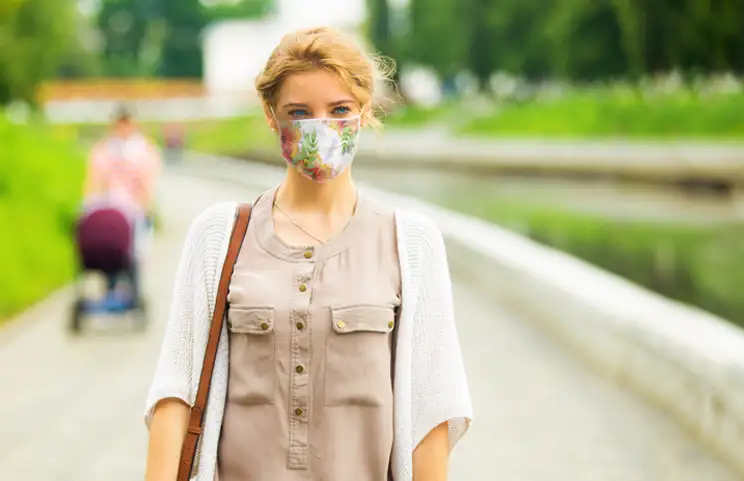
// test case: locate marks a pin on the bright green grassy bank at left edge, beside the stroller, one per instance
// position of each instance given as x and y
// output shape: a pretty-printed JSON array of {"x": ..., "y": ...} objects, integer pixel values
[{"x": 41, "y": 174}]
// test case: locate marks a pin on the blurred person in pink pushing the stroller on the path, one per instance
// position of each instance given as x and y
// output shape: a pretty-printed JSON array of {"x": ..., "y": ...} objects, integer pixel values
[{"x": 122, "y": 171}]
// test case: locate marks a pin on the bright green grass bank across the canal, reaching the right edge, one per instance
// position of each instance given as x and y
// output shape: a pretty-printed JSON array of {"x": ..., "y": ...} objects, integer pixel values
[{"x": 622, "y": 114}]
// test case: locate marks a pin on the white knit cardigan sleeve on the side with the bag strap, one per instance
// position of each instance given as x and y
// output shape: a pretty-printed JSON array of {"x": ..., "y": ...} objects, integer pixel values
[{"x": 173, "y": 371}]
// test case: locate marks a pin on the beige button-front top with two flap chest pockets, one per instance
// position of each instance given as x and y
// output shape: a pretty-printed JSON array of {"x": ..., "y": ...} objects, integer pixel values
[{"x": 309, "y": 392}]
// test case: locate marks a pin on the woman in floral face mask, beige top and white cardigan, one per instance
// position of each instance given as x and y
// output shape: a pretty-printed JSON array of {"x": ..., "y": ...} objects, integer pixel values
[{"x": 339, "y": 360}]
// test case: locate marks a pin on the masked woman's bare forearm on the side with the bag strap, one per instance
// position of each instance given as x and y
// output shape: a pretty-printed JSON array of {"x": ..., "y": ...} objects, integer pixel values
[{"x": 167, "y": 432}]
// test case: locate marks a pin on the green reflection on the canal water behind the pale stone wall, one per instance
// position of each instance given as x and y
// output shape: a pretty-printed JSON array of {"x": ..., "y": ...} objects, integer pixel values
[{"x": 699, "y": 265}]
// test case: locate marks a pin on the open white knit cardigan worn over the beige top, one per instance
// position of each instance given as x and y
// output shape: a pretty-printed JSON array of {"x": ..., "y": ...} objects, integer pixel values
[{"x": 430, "y": 385}]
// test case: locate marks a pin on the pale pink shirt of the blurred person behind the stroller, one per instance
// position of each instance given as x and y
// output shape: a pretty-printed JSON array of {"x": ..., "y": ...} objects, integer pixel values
[{"x": 124, "y": 171}]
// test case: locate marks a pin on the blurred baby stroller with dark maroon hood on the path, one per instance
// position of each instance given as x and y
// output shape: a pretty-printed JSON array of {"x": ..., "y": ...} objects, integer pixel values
[{"x": 105, "y": 240}]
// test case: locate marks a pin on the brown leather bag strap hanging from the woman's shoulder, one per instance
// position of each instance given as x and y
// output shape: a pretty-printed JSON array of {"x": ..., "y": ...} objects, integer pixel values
[{"x": 196, "y": 416}]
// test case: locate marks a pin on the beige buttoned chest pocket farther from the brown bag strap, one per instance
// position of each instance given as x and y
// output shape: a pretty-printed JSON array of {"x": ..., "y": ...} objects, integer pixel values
[{"x": 358, "y": 356}]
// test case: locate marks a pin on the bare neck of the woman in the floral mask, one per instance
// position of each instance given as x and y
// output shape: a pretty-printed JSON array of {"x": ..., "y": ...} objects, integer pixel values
[{"x": 299, "y": 193}]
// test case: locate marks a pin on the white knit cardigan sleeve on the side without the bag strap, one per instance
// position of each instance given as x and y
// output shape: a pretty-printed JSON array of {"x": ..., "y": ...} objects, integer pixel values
[{"x": 440, "y": 390}]
